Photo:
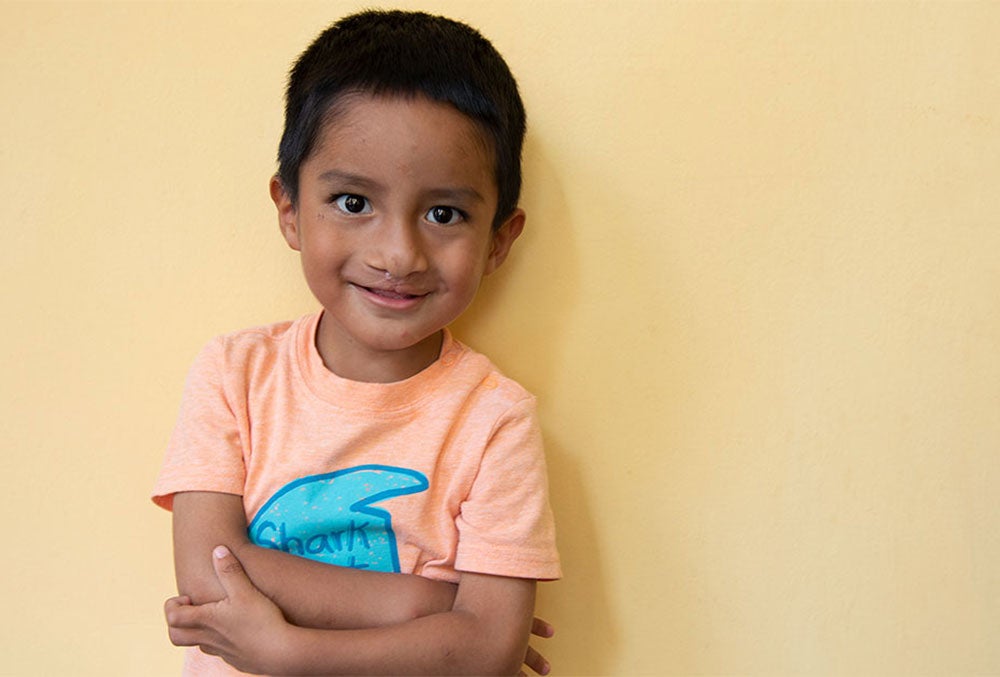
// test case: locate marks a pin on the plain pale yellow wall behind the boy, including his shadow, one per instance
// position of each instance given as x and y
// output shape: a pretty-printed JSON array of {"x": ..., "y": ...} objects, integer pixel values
[{"x": 757, "y": 299}]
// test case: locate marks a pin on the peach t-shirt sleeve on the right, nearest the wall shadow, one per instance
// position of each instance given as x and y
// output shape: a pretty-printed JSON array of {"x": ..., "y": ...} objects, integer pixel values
[{"x": 506, "y": 527}]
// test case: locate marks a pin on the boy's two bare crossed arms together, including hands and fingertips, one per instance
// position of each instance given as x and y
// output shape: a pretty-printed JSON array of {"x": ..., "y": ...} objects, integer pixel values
[{"x": 267, "y": 611}]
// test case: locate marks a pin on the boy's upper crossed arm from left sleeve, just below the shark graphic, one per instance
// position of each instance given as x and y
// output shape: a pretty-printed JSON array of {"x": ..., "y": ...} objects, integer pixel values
[{"x": 310, "y": 594}]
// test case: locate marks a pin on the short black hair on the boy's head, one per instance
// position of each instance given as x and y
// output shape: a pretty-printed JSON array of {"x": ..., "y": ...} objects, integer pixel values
[{"x": 397, "y": 53}]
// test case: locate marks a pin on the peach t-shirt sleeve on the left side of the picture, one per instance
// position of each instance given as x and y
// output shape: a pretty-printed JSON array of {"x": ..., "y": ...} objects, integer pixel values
[{"x": 204, "y": 452}]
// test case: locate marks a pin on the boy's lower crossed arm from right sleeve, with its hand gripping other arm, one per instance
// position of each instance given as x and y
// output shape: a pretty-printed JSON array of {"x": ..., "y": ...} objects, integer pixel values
[{"x": 485, "y": 633}]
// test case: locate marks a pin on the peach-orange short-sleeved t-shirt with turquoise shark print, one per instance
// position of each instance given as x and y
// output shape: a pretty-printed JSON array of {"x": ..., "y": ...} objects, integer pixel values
[{"x": 441, "y": 473}]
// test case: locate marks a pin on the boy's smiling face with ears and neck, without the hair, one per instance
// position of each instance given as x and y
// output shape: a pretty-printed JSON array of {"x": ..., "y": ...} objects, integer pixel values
[{"x": 393, "y": 224}]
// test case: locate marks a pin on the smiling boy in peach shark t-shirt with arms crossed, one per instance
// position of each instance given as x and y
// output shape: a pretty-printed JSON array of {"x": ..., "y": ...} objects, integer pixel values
[{"x": 365, "y": 436}]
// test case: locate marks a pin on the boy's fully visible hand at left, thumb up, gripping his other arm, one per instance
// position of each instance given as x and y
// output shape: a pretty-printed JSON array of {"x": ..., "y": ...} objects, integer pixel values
[{"x": 245, "y": 628}]
